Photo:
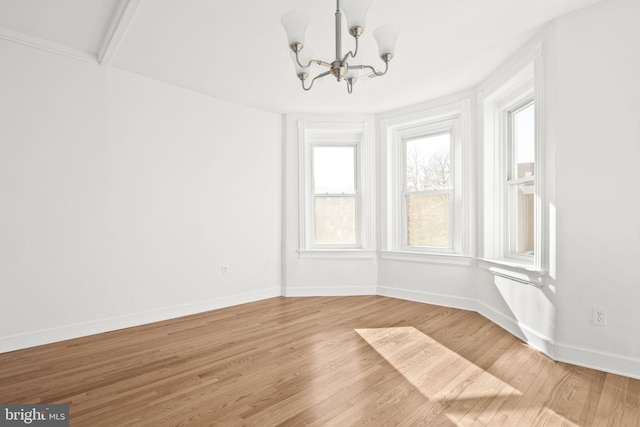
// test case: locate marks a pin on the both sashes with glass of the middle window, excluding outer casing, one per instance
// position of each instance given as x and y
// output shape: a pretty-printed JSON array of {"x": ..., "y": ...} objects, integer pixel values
[{"x": 428, "y": 191}]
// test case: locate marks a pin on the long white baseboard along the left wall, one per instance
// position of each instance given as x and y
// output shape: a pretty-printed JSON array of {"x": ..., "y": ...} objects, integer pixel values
[{"x": 47, "y": 336}]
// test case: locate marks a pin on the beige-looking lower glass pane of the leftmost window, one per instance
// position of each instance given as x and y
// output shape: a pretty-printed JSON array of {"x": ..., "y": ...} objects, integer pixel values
[{"x": 335, "y": 220}]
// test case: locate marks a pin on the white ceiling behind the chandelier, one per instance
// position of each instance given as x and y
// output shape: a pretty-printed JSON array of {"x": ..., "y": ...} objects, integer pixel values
[{"x": 237, "y": 50}]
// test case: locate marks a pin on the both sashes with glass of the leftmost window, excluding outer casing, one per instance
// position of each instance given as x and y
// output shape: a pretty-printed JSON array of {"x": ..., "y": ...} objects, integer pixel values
[{"x": 335, "y": 207}]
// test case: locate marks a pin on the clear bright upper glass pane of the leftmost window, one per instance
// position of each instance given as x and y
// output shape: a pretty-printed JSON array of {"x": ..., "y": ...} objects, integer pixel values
[{"x": 334, "y": 170}]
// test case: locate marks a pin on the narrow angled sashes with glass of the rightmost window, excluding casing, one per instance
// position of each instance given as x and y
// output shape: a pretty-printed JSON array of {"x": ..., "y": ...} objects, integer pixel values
[{"x": 520, "y": 183}]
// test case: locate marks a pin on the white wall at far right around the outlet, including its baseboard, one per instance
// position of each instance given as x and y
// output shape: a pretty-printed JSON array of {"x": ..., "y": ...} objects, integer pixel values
[{"x": 598, "y": 154}]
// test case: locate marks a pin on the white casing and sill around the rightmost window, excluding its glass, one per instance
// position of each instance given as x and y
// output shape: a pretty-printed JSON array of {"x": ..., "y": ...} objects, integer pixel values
[{"x": 510, "y": 92}]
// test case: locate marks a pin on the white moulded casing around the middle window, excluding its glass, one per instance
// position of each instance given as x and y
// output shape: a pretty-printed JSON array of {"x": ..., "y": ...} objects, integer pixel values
[{"x": 454, "y": 117}]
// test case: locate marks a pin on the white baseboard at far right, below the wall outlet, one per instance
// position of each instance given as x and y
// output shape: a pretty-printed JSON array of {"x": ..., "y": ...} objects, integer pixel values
[{"x": 601, "y": 361}]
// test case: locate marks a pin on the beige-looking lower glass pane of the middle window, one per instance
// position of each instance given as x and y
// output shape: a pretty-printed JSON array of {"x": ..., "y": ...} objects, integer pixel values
[{"x": 428, "y": 220}]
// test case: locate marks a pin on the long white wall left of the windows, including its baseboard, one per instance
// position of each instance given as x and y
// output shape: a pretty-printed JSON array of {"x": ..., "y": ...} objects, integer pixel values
[{"x": 122, "y": 197}]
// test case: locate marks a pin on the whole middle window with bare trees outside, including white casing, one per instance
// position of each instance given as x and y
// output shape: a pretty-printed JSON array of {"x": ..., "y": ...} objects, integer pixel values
[{"x": 427, "y": 177}]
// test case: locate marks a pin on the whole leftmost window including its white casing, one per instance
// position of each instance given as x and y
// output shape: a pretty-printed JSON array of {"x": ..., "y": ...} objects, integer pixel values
[{"x": 336, "y": 185}]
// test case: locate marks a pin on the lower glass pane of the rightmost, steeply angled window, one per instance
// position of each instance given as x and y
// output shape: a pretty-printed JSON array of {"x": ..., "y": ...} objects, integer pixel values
[{"x": 523, "y": 228}]
